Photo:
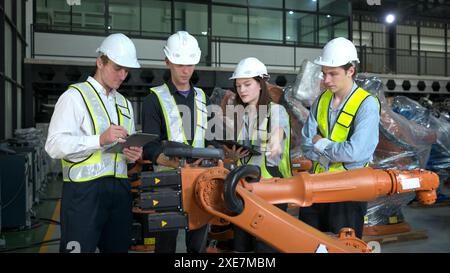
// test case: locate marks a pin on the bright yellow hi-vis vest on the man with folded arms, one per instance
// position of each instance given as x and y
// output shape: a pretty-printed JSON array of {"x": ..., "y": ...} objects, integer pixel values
[{"x": 341, "y": 129}]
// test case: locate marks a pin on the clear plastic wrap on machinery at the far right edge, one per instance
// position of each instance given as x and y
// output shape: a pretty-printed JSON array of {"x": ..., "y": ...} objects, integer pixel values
[{"x": 439, "y": 160}]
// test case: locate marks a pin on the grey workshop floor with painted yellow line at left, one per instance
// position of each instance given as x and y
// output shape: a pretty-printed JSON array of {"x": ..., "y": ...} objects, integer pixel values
[{"x": 436, "y": 220}]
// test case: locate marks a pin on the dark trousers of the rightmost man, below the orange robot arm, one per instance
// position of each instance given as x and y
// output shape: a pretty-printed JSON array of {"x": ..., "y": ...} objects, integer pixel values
[{"x": 331, "y": 217}]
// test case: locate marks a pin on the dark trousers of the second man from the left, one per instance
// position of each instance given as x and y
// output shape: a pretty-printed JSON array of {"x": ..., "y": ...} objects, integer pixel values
[{"x": 166, "y": 241}]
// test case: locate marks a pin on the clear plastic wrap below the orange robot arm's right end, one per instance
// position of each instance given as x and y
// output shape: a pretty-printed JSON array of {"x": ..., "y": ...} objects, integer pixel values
[{"x": 386, "y": 210}]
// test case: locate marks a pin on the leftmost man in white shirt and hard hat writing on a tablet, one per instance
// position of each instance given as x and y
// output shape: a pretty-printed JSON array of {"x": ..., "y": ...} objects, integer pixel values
[{"x": 96, "y": 205}]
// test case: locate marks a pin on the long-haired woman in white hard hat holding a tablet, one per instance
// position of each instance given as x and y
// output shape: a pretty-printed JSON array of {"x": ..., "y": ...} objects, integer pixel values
[{"x": 265, "y": 127}]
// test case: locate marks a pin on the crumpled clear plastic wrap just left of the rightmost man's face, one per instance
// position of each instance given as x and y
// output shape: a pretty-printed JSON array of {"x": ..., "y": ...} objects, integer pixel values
[{"x": 307, "y": 85}]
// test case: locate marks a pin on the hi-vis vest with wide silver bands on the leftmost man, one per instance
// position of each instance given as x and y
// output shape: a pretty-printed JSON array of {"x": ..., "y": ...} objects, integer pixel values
[{"x": 99, "y": 164}]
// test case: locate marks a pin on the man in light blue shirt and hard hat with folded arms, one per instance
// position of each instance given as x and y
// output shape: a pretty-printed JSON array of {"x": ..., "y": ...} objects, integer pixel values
[{"x": 341, "y": 134}]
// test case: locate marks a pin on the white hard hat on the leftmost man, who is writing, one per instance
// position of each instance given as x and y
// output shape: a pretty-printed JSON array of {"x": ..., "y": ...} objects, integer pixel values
[{"x": 119, "y": 49}]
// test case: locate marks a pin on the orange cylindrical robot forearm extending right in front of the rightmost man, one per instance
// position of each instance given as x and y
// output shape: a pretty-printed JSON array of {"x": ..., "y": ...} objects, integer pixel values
[{"x": 363, "y": 184}]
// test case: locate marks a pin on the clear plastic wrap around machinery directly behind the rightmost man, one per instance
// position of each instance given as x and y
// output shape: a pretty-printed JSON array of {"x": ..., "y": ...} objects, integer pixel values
[{"x": 403, "y": 144}]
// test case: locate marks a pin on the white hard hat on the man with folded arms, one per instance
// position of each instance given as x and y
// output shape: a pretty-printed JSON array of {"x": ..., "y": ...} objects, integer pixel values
[{"x": 338, "y": 52}]
